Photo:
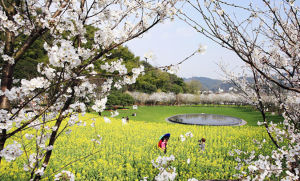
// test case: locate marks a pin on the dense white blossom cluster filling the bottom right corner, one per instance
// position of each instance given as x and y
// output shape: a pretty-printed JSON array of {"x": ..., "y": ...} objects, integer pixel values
[{"x": 264, "y": 166}]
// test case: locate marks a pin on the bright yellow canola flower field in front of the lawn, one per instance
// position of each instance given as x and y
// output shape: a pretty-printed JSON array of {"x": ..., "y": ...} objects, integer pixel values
[{"x": 126, "y": 152}]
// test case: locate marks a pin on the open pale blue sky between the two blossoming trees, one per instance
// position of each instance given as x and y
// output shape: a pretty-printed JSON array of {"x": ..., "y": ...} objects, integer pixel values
[{"x": 171, "y": 42}]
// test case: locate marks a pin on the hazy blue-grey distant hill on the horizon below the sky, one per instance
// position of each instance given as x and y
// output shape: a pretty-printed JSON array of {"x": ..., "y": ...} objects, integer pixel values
[{"x": 211, "y": 84}]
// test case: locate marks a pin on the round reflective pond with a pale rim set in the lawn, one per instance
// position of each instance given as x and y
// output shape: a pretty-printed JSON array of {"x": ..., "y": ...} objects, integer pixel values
[{"x": 206, "y": 119}]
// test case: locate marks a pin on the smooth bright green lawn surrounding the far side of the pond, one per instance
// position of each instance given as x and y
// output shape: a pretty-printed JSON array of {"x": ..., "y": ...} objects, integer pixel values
[{"x": 160, "y": 113}]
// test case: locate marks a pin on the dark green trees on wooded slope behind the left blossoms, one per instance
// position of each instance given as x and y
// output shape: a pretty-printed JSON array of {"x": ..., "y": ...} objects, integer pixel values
[{"x": 153, "y": 80}]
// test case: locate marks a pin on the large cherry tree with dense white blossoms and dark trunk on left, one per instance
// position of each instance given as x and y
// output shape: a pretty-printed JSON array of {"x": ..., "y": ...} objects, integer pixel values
[{"x": 76, "y": 34}]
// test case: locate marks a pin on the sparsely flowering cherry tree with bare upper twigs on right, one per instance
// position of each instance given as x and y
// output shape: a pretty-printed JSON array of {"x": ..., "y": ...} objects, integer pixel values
[{"x": 265, "y": 35}]
